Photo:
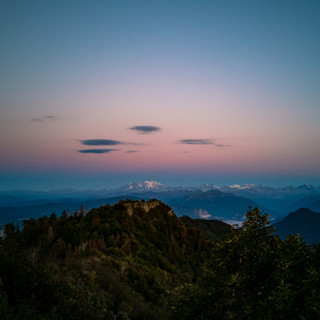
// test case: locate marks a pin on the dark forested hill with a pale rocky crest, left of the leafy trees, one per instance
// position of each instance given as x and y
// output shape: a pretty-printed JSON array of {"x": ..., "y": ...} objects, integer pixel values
[{"x": 115, "y": 260}]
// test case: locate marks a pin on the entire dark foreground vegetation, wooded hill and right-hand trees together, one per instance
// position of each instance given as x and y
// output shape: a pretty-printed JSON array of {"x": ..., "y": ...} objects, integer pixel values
[{"x": 137, "y": 260}]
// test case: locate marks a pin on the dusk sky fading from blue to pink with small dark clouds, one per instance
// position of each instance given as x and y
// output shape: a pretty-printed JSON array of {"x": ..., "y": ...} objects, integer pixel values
[{"x": 96, "y": 94}]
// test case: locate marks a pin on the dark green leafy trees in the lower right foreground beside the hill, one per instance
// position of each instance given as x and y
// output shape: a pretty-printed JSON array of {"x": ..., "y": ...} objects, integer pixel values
[{"x": 254, "y": 275}]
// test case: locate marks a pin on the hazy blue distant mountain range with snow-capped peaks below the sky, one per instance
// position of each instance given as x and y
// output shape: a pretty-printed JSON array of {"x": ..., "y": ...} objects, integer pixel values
[{"x": 207, "y": 201}]
